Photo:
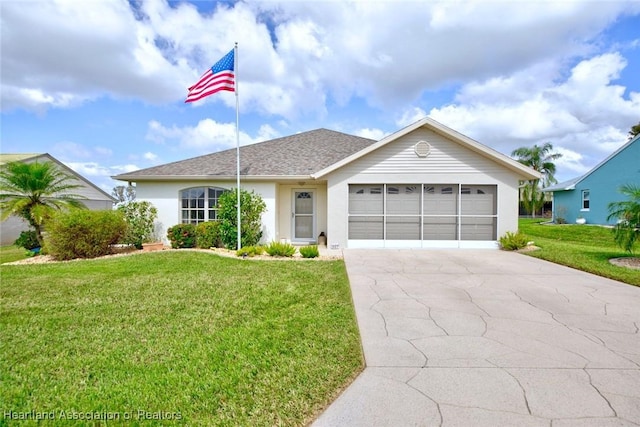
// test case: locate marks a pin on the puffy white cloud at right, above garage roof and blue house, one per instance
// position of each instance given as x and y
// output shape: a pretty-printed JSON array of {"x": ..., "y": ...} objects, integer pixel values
[{"x": 582, "y": 114}]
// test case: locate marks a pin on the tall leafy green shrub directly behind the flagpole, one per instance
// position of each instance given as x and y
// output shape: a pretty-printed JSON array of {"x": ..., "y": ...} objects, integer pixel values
[{"x": 251, "y": 206}]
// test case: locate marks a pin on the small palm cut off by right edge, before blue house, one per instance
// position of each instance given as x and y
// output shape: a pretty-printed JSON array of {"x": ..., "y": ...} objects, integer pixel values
[{"x": 627, "y": 212}]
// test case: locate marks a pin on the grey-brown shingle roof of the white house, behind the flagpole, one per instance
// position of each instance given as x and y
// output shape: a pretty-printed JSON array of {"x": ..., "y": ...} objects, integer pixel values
[{"x": 296, "y": 155}]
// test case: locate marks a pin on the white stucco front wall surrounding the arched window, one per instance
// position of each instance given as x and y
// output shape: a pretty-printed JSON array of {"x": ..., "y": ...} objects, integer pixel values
[{"x": 165, "y": 197}]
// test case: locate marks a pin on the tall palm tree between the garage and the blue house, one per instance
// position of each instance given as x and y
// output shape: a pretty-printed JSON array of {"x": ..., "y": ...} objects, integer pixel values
[{"x": 540, "y": 159}]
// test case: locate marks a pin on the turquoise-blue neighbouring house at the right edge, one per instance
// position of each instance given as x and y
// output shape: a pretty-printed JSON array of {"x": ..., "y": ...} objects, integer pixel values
[{"x": 589, "y": 195}]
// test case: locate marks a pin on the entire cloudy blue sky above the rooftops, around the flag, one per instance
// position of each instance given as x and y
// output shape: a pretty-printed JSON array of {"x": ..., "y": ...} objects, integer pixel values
[{"x": 100, "y": 85}]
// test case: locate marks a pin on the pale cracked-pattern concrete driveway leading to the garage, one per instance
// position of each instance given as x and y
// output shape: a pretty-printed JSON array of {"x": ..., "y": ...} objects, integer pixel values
[{"x": 489, "y": 338}]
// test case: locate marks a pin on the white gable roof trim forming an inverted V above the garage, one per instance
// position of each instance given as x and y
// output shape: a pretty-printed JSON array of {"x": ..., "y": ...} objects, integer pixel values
[{"x": 524, "y": 171}]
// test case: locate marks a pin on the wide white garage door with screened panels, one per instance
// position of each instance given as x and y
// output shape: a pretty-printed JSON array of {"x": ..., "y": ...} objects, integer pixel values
[{"x": 417, "y": 215}]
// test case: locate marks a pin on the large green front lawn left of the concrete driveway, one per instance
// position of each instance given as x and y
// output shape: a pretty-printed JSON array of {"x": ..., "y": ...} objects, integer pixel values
[{"x": 179, "y": 335}]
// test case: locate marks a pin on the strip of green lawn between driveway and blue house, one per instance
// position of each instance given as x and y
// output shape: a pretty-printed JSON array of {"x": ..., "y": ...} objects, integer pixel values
[{"x": 583, "y": 247}]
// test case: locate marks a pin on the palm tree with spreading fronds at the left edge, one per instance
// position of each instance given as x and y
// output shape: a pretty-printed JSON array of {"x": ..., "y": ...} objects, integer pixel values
[{"x": 33, "y": 191}]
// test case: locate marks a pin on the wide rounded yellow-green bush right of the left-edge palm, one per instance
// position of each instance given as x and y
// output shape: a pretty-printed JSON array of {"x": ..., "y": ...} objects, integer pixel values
[{"x": 84, "y": 233}]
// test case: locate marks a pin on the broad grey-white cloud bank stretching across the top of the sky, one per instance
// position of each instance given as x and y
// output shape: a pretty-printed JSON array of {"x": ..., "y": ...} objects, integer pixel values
[{"x": 295, "y": 57}]
